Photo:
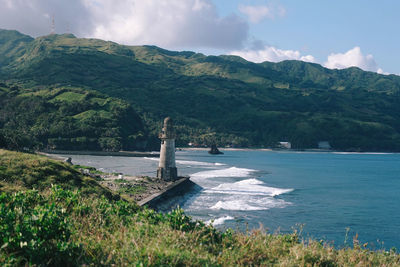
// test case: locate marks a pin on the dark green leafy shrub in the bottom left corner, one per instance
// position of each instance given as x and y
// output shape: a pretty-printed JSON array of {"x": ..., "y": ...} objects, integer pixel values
[{"x": 35, "y": 230}]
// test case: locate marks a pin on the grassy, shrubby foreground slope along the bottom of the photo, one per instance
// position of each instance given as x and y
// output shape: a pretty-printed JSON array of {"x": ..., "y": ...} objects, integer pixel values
[{"x": 57, "y": 225}]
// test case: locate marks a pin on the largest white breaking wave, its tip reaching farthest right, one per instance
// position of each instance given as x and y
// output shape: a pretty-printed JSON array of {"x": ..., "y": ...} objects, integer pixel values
[{"x": 248, "y": 187}]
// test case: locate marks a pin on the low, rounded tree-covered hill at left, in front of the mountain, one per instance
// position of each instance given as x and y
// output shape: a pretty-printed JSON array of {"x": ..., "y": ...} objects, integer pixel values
[{"x": 67, "y": 118}]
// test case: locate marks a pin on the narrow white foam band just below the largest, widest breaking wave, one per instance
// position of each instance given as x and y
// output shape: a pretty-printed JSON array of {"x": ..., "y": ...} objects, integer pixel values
[{"x": 244, "y": 204}]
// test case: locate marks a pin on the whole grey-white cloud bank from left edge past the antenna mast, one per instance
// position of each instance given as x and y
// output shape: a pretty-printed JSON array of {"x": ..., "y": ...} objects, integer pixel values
[{"x": 171, "y": 24}]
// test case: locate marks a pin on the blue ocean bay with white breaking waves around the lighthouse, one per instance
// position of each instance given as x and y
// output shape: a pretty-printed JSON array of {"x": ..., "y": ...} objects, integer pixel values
[{"x": 330, "y": 196}]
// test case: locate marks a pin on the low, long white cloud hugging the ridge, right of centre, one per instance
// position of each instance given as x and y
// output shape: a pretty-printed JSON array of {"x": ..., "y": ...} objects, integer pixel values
[{"x": 272, "y": 54}]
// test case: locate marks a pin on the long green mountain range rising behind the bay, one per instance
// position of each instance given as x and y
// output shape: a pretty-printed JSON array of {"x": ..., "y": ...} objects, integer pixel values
[{"x": 222, "y": 99}]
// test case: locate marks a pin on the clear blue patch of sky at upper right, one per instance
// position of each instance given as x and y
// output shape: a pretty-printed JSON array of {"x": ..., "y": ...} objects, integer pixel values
[{"x": 320, "y": 28}]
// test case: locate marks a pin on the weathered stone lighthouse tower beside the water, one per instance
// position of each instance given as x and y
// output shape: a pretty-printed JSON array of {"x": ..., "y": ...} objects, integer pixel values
[{"x": 167, "y": 168}]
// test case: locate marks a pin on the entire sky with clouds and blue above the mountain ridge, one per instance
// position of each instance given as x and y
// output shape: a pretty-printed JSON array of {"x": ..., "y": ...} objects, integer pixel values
[{"x": 336, "y": 34}]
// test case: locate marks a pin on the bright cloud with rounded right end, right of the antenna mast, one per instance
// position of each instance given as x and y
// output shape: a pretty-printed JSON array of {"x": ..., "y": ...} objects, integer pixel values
[{"x": 167, "y": 23}]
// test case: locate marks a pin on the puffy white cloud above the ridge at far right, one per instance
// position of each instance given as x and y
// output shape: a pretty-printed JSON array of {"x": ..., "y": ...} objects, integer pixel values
[{"x": 352, "y": 58}]
